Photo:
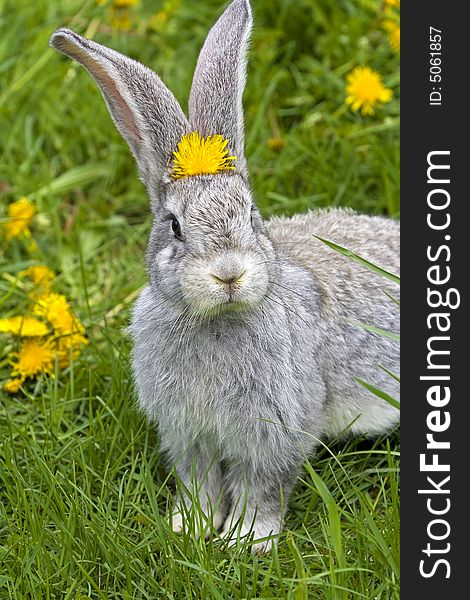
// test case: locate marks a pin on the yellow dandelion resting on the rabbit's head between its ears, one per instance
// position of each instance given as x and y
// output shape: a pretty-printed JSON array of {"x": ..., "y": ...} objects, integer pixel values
[{"x": 197, "y": 155}]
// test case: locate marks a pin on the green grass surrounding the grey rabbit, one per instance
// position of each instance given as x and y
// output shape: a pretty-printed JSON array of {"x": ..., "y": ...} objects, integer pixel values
[{"x": 83, "y": 488}]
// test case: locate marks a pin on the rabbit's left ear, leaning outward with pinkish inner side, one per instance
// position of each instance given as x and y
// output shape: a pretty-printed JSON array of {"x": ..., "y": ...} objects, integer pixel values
[{"x": 143, "y": 109}]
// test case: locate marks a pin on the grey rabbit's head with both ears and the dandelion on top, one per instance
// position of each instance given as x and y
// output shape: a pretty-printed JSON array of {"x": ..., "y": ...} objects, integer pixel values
[{"x": 208, "y": 247}]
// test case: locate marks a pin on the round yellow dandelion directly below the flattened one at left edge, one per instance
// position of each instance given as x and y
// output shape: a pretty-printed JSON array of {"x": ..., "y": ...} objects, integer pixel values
[{"x": 34, "y": 357}]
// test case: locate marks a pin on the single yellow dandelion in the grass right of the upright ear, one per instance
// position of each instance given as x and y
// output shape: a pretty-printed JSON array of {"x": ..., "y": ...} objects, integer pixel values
[{"x": 365, "y": 90}]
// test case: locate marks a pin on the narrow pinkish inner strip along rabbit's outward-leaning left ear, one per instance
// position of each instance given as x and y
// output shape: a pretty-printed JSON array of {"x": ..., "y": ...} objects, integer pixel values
[{"x": 121, "y": 110}]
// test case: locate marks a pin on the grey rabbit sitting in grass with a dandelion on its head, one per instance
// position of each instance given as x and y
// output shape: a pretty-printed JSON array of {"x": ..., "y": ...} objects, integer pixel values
[{"x": 247, "y": 340}]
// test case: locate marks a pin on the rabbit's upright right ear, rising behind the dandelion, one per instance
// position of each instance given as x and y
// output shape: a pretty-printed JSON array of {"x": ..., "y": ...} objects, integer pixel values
[{"x": 215, "y": 102}]
